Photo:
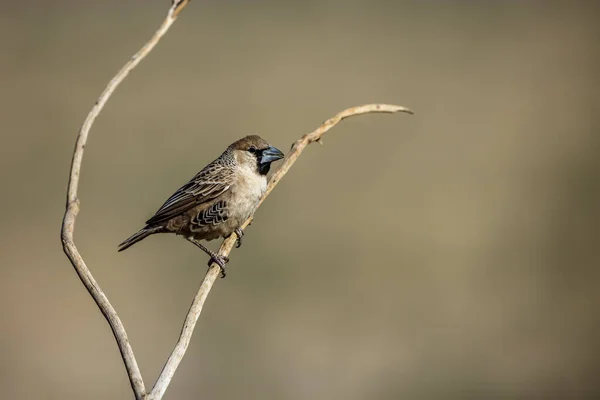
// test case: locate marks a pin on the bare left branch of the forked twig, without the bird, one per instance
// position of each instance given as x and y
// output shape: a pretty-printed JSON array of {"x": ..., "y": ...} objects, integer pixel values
[{"x": 72, "y": 207}]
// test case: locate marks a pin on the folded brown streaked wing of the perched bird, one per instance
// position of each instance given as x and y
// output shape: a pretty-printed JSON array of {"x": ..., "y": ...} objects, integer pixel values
[{"x": 214, "y": 180}]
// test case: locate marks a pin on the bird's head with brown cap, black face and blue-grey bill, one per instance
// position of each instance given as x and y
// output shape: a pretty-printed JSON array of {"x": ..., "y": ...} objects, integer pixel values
[{"x": 255, "y": 152}]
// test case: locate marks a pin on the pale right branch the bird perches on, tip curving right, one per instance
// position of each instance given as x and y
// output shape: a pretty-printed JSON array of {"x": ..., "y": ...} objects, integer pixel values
[{"x": 211, "y": 276}]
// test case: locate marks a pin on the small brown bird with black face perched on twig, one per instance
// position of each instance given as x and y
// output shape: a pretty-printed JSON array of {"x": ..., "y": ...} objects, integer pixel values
[{"x": 217, "y": 200}]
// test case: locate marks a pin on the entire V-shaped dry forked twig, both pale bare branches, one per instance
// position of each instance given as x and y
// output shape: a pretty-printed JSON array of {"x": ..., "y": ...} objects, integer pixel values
[{"x": 72, "y": 210}]
